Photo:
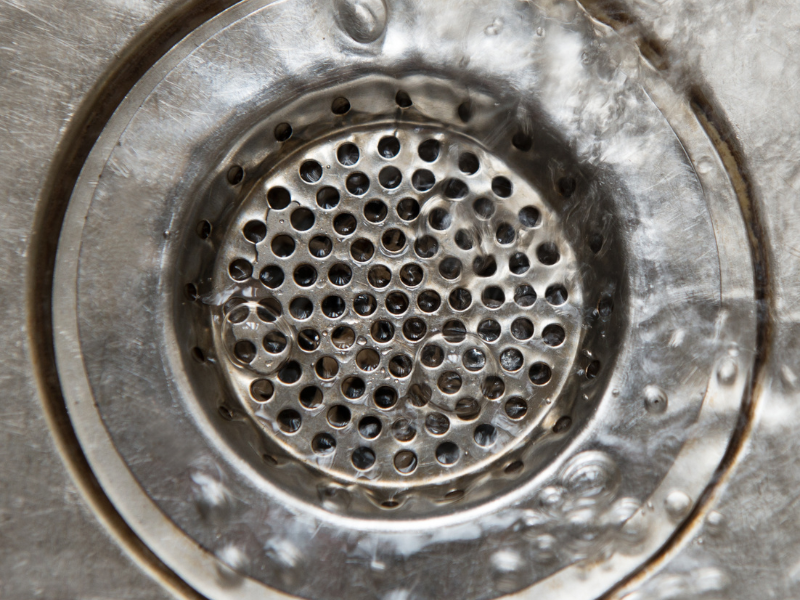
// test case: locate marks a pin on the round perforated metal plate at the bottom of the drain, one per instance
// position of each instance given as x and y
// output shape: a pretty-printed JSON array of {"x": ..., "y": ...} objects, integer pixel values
[{"x": 407, "y": 306}]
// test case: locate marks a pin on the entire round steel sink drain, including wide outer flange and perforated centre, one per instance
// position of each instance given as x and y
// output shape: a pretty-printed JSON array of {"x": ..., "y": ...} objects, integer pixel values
[{"x": 366, "y": 304}]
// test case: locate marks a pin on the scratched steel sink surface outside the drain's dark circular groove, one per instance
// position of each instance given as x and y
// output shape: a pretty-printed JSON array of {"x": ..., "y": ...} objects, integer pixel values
[{"x": 741, "y": 543}]
